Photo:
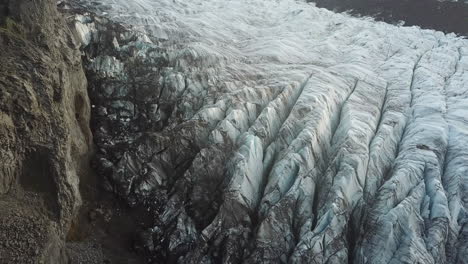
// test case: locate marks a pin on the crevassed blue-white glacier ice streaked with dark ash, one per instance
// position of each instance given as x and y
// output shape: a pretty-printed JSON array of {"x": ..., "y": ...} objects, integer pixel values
[{"x": 261, "y": 131}]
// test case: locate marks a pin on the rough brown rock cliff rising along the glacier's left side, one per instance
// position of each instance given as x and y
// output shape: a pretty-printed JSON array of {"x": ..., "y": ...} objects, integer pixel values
[{"x": 44, "y": 133}]
